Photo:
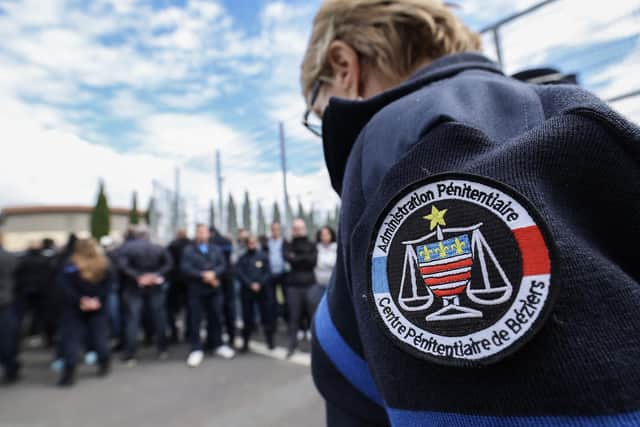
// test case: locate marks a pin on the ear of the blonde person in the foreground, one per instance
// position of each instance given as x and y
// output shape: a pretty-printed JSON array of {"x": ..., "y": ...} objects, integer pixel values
[{"x": 345, "y": 64}]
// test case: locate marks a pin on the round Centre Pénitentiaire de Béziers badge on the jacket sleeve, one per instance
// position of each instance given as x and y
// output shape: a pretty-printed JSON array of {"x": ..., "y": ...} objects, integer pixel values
[{"x": 460, "y": 270}]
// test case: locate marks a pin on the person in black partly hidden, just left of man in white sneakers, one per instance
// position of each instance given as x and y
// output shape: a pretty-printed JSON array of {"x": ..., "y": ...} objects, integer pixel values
[{"x": 177, "y": 293}]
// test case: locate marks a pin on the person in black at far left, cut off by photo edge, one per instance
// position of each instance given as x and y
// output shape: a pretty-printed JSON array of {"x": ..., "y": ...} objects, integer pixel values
[{"x": 8, "y": 329}]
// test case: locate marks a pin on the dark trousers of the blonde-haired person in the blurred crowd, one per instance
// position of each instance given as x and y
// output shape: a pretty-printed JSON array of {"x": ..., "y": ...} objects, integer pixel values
[{"x": 85, "y": 330}]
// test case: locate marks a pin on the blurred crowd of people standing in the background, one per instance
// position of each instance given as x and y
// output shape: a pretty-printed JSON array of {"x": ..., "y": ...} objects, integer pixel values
[{"x": 91, "y": 299}]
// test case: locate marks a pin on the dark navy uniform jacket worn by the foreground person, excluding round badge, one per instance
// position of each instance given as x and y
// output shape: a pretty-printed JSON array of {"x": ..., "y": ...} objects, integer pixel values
[{"x": 577, "y": 162}]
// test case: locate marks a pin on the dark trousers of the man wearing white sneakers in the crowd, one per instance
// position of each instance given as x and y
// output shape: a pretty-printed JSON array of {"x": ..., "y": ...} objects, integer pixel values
[{"x": 209, "y": 304}]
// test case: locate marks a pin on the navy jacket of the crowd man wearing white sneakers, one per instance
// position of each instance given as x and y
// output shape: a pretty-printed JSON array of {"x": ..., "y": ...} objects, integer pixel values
[{"x": 195, "y": 262}]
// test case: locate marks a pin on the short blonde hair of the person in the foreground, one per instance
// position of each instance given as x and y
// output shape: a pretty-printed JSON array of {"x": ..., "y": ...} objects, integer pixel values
[{"x": 394, "y": 36}]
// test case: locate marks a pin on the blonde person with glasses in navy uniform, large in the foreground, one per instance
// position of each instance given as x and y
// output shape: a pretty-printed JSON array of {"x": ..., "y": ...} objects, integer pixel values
[{"x": 449, "y": 304}]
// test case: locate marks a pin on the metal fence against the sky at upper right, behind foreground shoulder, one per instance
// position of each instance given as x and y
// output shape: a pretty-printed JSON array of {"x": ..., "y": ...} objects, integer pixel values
[{"x": 601, "y": 46}]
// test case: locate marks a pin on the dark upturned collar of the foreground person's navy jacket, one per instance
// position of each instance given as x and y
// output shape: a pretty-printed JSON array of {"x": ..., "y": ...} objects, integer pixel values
[{"x": 344, "y": 119}]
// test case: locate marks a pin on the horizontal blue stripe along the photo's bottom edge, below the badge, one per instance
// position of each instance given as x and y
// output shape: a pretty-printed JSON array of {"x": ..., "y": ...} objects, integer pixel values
[{"x": 423, "y": 418}]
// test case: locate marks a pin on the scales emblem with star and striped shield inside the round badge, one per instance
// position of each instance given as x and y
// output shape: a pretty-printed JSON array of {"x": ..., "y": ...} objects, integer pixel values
[{"x": 443, "y": 259}]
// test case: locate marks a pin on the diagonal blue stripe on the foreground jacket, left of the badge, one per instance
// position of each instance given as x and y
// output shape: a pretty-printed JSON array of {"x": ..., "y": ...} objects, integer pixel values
[{"x": 352, "y": 367}]
